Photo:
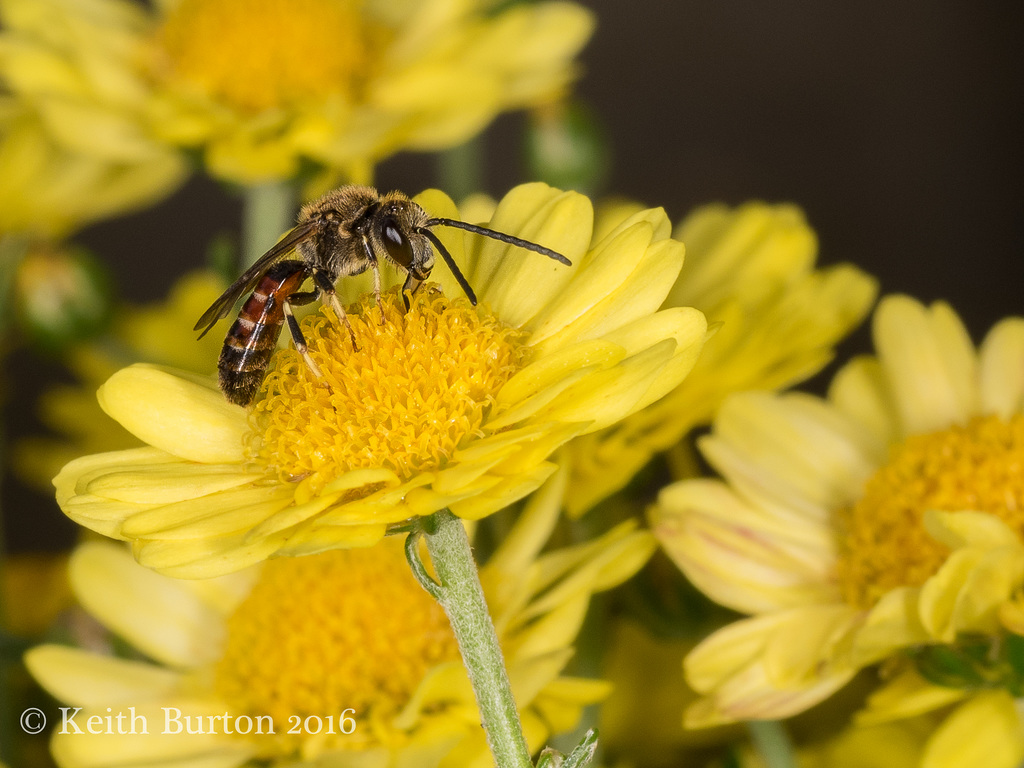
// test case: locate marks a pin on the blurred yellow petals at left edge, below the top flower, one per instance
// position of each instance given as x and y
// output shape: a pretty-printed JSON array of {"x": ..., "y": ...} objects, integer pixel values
[{"x": 48, "y": 189}]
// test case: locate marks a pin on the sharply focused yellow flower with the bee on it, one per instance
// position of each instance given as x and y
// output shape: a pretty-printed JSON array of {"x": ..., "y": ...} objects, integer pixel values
[{"x": 448, "y": 406}]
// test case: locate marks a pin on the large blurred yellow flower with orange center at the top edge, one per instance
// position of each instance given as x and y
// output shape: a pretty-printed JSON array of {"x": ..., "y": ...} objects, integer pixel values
[{"x": 263, "y": 86}]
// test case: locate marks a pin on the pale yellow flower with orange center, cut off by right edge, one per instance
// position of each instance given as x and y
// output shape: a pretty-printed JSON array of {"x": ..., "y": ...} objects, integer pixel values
[{"x": 827, "y": 526}]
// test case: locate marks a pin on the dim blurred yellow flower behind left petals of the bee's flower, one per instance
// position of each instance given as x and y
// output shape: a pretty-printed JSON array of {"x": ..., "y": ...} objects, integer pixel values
[{"x": 161, "y": 334}]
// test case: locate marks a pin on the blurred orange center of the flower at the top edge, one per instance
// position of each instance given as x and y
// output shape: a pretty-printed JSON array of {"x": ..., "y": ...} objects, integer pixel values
[{"x": 260, "y": 55}]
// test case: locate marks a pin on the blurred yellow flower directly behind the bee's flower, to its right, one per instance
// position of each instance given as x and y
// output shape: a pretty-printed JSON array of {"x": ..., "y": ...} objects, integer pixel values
[{"x": 751, "y": 271}]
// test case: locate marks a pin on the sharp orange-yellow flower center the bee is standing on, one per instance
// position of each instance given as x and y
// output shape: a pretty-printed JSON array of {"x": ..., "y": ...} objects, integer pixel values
[{"x": 417, "y": 387}]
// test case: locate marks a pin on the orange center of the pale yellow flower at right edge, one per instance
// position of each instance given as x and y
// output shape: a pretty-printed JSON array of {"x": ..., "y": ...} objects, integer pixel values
[{"x": 975, "y": 467}]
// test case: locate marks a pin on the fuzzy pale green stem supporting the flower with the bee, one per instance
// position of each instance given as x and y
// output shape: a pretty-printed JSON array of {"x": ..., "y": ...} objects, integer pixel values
[{"x": 462, "y": 598}]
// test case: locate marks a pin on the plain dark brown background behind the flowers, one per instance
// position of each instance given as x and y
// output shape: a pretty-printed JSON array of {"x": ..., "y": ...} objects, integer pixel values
[{"x": 895, "y": 125}]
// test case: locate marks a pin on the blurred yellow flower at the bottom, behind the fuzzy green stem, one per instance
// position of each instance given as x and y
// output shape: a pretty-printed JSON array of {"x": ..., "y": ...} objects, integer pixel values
[{"x": 347, "y": 641}]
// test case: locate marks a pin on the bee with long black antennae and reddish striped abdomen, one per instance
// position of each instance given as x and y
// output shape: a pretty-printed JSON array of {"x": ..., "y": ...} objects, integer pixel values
[{"x": 346, "y": 233}]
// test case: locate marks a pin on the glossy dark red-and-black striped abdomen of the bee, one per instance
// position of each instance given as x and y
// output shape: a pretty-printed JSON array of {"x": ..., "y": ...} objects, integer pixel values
[{"x": 253, "y": 337}]
